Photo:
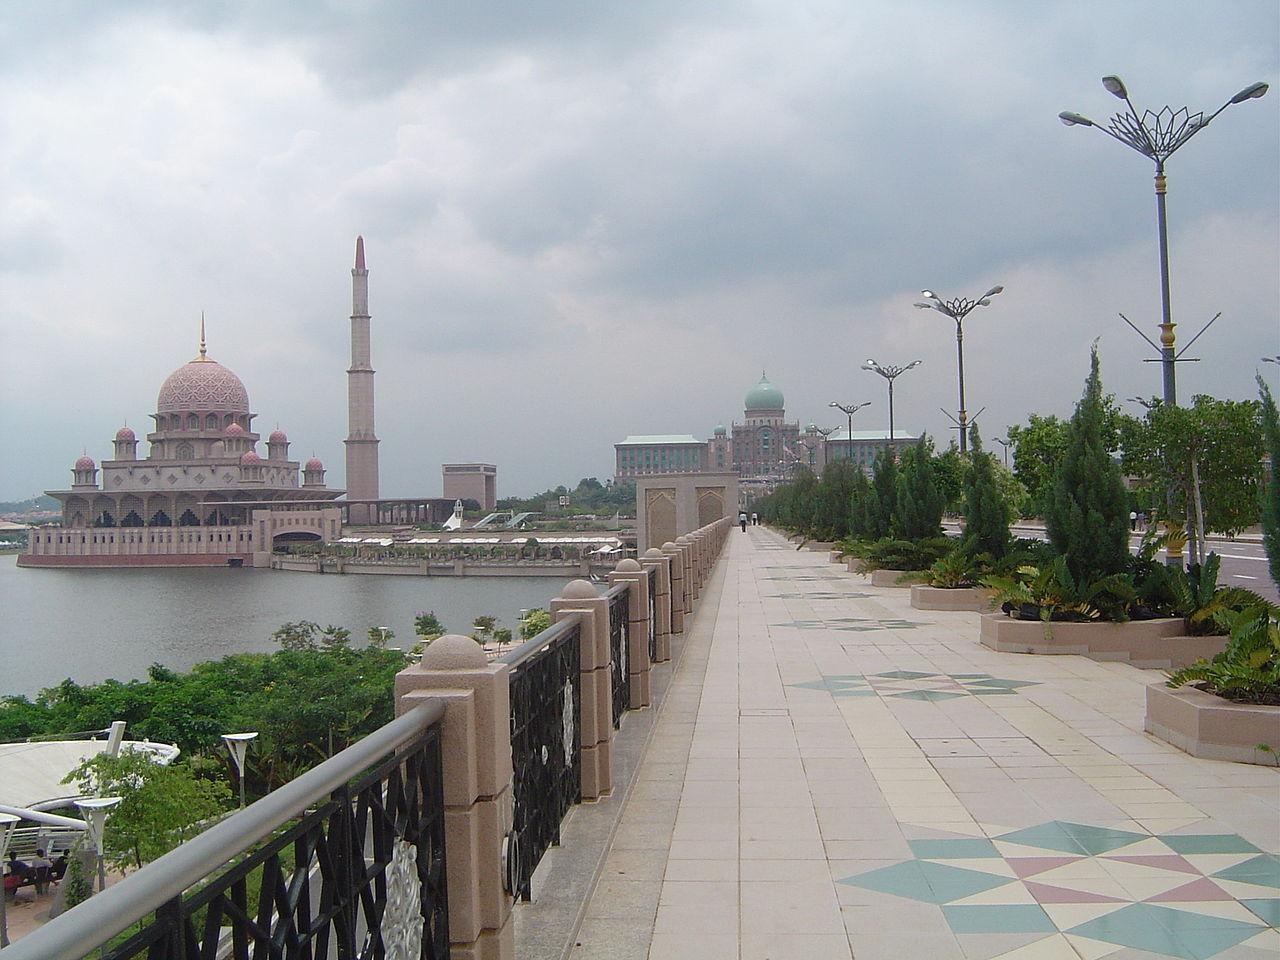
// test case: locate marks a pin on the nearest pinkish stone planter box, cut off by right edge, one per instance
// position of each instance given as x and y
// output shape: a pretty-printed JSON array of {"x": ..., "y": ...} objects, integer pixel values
[{"x": 1208, "y": 726}]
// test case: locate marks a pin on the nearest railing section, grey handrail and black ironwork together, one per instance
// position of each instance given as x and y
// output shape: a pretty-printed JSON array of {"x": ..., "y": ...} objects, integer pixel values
[{"x": 360, "y": 874}]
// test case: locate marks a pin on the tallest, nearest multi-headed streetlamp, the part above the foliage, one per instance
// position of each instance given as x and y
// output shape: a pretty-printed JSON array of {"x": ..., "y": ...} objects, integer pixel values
[{"x": 1158, "y": 136}]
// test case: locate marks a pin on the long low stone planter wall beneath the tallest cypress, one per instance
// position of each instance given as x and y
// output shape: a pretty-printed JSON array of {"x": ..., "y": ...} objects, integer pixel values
[{"x": 1151, "y": 644}]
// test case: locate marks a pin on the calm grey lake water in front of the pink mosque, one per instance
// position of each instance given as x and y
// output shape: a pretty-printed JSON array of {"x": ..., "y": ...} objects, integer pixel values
[{"x": 92, "y": 625}]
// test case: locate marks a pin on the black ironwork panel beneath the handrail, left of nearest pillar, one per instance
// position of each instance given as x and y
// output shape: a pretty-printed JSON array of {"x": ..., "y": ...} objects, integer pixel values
[{"x": 363, "y": 875}]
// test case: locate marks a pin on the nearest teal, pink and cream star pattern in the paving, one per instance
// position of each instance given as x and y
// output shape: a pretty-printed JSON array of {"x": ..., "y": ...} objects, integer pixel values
[{"x": 1167, "y": 895}]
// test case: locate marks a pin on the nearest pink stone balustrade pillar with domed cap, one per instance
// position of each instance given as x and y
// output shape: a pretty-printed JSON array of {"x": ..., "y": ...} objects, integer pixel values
[{"x": 479, "y": 807}]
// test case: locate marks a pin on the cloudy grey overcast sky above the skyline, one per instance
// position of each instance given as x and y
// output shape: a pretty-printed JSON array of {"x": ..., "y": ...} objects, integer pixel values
[{"x": 591, "y": 220}]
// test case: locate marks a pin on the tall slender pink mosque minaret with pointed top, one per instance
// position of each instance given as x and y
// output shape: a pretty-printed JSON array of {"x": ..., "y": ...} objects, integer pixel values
[{"x": 362, "y": 442}]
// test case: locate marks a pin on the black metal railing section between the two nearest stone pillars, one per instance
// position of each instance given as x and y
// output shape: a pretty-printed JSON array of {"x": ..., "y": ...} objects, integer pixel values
[{"x": 546, "y": 744}]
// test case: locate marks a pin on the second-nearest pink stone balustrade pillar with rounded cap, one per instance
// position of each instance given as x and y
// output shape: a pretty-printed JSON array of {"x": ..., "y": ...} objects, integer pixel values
[{"x": 583, "y": 600}]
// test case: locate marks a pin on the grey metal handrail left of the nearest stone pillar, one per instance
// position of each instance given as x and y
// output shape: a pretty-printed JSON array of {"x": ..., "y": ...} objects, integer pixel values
[{"x": 83, "y": 930}]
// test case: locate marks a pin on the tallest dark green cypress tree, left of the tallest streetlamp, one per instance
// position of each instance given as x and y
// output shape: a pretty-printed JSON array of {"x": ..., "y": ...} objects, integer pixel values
[{"x": 1089, "y": 514}]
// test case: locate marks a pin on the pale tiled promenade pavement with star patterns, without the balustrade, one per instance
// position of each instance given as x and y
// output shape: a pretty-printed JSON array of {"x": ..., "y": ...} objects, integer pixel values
[{"x": 835, "y": 775}]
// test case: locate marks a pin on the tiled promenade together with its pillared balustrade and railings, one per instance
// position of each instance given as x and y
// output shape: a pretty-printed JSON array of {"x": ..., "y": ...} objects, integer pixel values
[{"x": 810, "y": 770}]
